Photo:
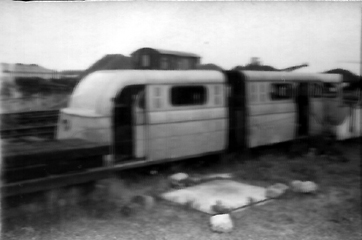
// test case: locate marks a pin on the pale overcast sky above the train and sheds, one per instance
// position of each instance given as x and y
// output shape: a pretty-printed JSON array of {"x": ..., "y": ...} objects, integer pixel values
[{"x": 74, "y": 35}]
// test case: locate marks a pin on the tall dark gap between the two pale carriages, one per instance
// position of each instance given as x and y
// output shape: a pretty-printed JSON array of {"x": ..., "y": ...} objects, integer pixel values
[{"x": 237, "y": 111}]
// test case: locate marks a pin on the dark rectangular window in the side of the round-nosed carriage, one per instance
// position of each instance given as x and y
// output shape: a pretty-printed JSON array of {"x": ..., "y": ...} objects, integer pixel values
[{"x": 188, "y": 95}]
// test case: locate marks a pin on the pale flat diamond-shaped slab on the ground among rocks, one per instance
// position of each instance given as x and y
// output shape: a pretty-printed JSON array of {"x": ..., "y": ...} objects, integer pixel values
[{"x": 231, "y": 194}]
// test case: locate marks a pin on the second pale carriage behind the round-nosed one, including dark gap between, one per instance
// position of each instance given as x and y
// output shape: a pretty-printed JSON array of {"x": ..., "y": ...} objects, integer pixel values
[{"x": 272, "y": 107}]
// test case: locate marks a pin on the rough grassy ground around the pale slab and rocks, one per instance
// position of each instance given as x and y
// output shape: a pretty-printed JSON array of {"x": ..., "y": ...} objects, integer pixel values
[{"x": 333, "y": 213}]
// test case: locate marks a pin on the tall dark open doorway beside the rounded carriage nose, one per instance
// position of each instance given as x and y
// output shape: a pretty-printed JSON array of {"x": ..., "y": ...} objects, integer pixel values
[{"x": 125, "y": 115}]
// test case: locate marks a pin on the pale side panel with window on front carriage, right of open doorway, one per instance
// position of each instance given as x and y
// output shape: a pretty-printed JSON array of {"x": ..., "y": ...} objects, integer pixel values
[{"x": 191, "y": 126}]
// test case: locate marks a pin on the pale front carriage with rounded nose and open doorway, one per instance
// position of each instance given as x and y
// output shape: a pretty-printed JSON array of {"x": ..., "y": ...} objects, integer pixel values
[{"x": 151, "y": 115}]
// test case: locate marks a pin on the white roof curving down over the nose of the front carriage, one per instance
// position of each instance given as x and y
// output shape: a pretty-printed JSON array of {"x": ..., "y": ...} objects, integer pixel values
[{"x": 93, "y": 95}]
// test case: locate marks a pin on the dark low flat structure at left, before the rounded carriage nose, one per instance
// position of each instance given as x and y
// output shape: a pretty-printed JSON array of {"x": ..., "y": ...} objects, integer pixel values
[{"x": 39, "y": 166}]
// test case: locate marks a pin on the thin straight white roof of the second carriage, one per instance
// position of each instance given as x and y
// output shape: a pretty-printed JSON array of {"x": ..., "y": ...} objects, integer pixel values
[{"x": 290, "y": 76}]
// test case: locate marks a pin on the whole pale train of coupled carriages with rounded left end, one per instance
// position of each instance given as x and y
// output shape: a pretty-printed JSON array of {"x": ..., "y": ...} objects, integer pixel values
[{"x": 156, "y": 115}]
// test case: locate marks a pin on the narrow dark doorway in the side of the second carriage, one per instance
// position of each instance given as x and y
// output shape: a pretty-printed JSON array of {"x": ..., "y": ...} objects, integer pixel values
[{"x": 302, "y": 102}]
